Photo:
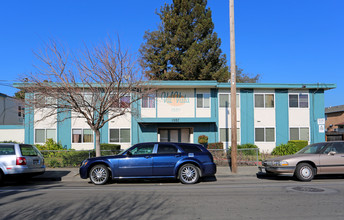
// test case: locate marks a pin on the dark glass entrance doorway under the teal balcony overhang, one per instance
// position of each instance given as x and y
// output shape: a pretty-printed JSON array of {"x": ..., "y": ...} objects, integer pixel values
[{"x": 184, "y": 135}]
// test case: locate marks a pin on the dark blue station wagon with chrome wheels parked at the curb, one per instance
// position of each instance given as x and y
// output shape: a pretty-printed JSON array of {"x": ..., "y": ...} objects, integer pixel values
[{"x": 186, "y": 162}]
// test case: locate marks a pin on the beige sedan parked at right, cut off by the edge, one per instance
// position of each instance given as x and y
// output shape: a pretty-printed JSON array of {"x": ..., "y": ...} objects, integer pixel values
[{"x": 314, "y": 159}]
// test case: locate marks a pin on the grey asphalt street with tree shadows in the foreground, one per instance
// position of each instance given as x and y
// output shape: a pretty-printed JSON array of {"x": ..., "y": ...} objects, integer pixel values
[{"x": 228, "y": 197}]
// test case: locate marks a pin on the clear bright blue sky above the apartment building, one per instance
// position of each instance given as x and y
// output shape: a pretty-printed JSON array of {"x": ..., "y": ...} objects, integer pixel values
[{"x": 285, "y": 41}]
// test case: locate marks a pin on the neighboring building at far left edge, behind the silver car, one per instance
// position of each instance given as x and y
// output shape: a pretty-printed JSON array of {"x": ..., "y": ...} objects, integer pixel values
[{"x": 11, "y": 119}]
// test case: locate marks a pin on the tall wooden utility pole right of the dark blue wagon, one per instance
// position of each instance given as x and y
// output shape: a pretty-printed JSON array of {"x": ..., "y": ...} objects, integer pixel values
[{"x": 233, "y": 89}]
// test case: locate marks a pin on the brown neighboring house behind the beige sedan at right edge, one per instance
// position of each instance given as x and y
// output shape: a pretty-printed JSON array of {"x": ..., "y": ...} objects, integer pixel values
[{"x": 335, "y": 123}]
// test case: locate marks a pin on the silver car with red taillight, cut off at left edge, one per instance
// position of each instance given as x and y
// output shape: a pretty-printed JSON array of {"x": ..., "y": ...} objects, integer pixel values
[{"x": 20, "y": 160}]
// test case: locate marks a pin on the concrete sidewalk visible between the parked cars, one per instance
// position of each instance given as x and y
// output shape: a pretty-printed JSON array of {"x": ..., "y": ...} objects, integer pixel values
[{"x": 72, "y": 174}]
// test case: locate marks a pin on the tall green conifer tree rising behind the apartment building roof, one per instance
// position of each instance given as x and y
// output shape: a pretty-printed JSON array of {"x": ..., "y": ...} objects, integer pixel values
[{"x": 185, "y": 46}]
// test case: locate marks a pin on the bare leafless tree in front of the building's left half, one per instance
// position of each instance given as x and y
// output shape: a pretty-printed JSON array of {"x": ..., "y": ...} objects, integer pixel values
[{"x": 98, "y": 83}]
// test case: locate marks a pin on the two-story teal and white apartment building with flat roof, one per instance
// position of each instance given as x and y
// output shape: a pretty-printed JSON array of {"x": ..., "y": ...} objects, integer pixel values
[{"x": 181, "y": 111}]
